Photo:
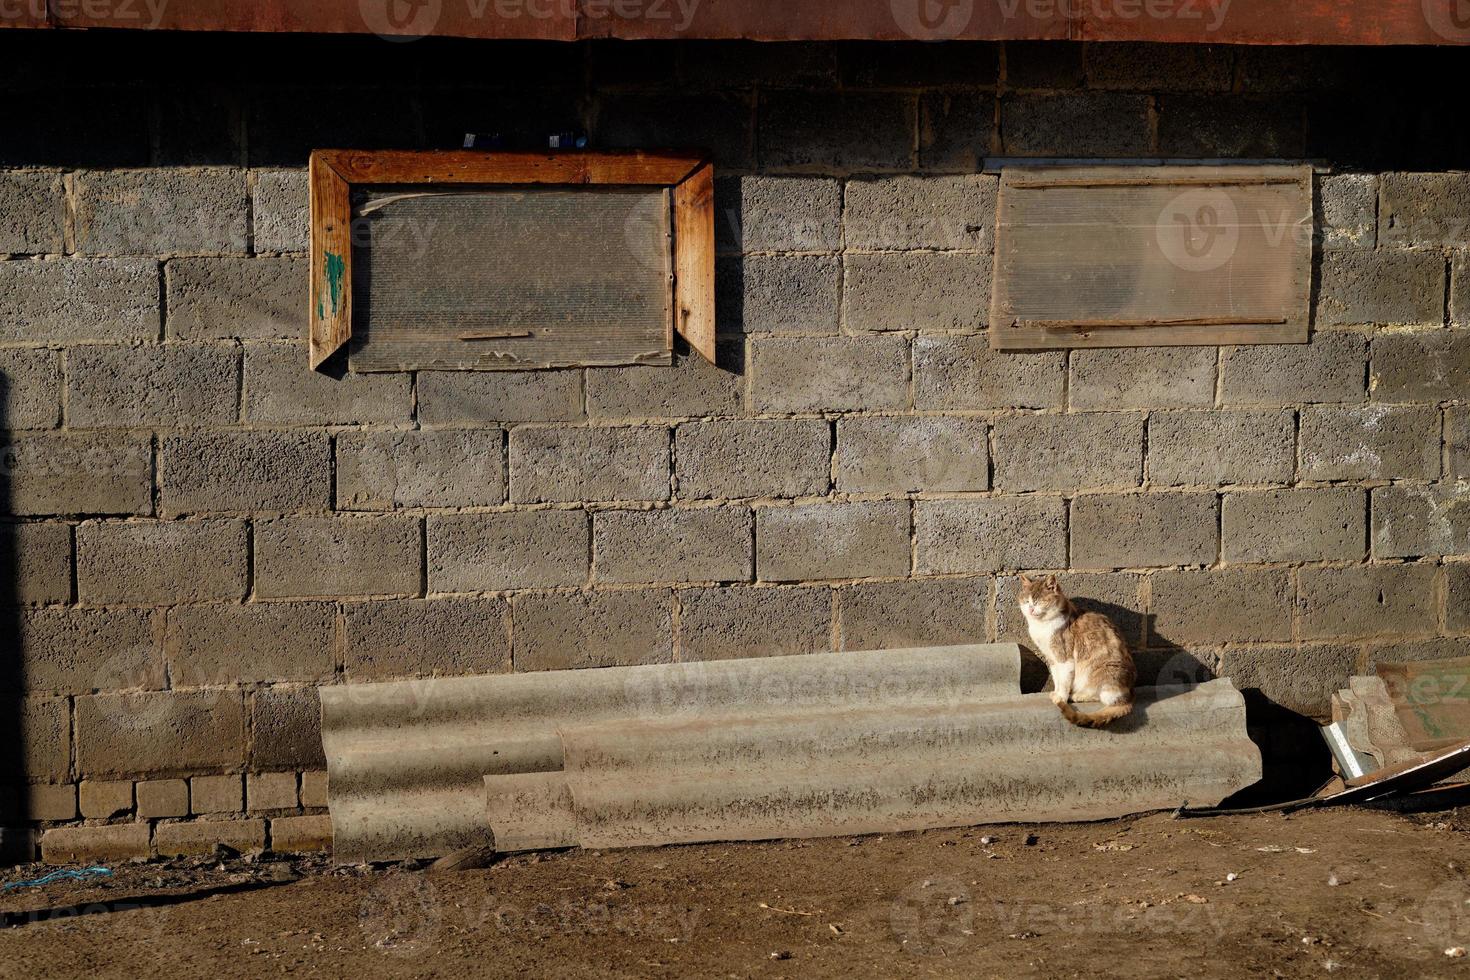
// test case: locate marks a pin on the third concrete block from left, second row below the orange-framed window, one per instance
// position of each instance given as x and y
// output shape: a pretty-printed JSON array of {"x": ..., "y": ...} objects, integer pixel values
[{"x": 437, "y": 468}]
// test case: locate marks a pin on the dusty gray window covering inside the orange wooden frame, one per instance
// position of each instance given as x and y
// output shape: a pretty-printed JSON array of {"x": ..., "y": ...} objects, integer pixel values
[{"x": 512, "y": 278}]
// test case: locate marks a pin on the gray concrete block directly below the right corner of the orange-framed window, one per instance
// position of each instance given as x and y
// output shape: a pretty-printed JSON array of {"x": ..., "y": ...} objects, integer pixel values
[{"x": 692, "y": 389}]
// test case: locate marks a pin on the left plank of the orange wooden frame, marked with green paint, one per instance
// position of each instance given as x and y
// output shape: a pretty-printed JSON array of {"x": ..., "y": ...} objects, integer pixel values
[{"x": 330, "y": 308}]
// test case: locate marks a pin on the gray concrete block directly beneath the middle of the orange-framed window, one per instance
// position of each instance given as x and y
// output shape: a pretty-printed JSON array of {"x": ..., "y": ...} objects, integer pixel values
[{"x": 459, "y": 397}]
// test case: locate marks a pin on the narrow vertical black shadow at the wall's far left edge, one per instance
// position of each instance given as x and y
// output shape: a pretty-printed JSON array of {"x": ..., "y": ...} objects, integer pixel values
[{"x": 15, "y": 804}]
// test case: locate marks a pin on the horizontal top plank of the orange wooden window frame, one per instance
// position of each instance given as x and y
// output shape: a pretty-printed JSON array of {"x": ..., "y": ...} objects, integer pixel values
[{"x": 470, "y": 167}]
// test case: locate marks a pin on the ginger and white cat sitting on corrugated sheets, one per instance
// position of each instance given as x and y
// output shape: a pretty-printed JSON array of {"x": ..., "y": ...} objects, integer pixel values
[{"x": 1087, "y": 656}]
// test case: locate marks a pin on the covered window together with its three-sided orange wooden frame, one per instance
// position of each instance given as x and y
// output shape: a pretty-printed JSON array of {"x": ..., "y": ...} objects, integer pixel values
[{"x": 461, "y": 261}]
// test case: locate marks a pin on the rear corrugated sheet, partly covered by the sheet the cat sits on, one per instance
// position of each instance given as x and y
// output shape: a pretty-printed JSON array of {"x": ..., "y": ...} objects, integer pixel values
[{"x": 408, "y": 759}]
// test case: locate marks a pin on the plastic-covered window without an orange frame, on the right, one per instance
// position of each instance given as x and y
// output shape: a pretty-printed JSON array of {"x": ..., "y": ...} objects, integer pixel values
[{"x": 1152, "y": 256}]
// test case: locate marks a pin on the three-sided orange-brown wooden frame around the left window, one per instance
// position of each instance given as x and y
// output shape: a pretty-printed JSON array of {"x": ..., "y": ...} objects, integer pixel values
[{"x": 690, "y": 177}]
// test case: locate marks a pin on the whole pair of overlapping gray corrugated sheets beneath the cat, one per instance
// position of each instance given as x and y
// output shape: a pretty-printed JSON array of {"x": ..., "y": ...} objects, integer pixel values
[{"x": 792, "y": 747}]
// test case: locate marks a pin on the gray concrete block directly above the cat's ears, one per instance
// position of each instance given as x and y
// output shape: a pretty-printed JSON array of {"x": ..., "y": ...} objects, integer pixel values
[{"x": 955, "y": 537}]
